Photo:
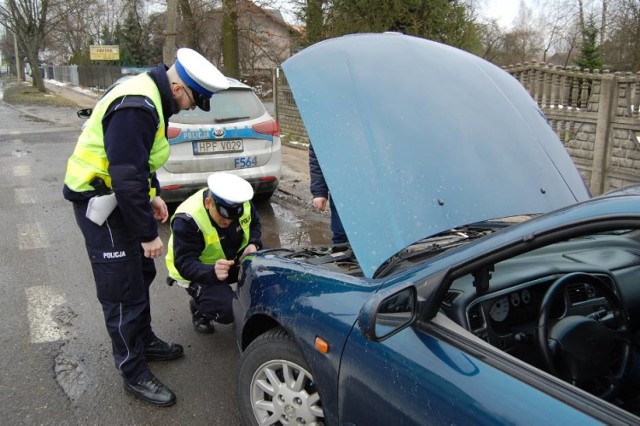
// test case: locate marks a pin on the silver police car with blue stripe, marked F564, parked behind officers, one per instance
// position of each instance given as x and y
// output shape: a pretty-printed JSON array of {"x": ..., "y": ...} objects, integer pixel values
[{"x": 237, "y": 135}]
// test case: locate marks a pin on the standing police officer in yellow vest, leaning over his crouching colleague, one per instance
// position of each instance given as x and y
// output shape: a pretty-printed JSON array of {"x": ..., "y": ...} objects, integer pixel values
[{"x": 121, "y": 146}]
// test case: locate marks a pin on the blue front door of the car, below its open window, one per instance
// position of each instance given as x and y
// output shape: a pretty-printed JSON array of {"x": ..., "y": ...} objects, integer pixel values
[{"x": 428, "y": 374}]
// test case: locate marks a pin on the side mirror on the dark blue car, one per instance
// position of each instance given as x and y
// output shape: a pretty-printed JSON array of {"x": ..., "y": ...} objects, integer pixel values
[{"x": 390, "y": 315}]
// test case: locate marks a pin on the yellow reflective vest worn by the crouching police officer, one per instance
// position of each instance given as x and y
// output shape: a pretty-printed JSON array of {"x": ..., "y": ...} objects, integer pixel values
[{"x": 194, "y": 207}]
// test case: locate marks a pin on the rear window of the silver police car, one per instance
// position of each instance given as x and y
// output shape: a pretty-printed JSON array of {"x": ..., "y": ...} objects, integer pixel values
[{"x": 226, "y": 106}]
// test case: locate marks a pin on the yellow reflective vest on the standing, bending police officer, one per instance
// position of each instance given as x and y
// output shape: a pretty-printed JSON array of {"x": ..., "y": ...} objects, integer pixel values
[{"x": 89, "y": 159}]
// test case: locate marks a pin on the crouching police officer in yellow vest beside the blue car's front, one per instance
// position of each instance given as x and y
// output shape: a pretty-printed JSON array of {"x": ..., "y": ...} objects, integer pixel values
[{"x": 210, "y": 232}]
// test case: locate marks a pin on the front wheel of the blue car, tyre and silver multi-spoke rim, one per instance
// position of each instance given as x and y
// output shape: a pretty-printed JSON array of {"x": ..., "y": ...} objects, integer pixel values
[{"x": 275, "y": 385}]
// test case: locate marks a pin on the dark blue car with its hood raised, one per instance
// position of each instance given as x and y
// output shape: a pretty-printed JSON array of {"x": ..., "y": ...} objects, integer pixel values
[{"x": 482, "y": 283}]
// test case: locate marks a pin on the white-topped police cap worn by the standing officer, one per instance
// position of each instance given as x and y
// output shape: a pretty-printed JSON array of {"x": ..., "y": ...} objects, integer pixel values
[{"x": 200, "y": 75}]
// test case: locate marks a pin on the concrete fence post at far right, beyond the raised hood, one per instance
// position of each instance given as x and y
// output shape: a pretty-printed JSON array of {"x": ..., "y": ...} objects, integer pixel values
[{"x": 601, "y": 143}]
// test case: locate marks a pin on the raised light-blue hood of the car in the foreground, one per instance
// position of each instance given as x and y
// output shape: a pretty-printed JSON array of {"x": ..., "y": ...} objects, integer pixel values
[{"x": 415, "y": 138}]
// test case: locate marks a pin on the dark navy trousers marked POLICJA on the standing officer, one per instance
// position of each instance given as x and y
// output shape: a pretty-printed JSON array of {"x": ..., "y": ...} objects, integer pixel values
[{"x": 122, "y": 276}]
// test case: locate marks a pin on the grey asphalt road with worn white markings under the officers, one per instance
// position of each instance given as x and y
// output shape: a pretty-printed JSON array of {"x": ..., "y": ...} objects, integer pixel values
[{"x": 54, "y": 353}]
